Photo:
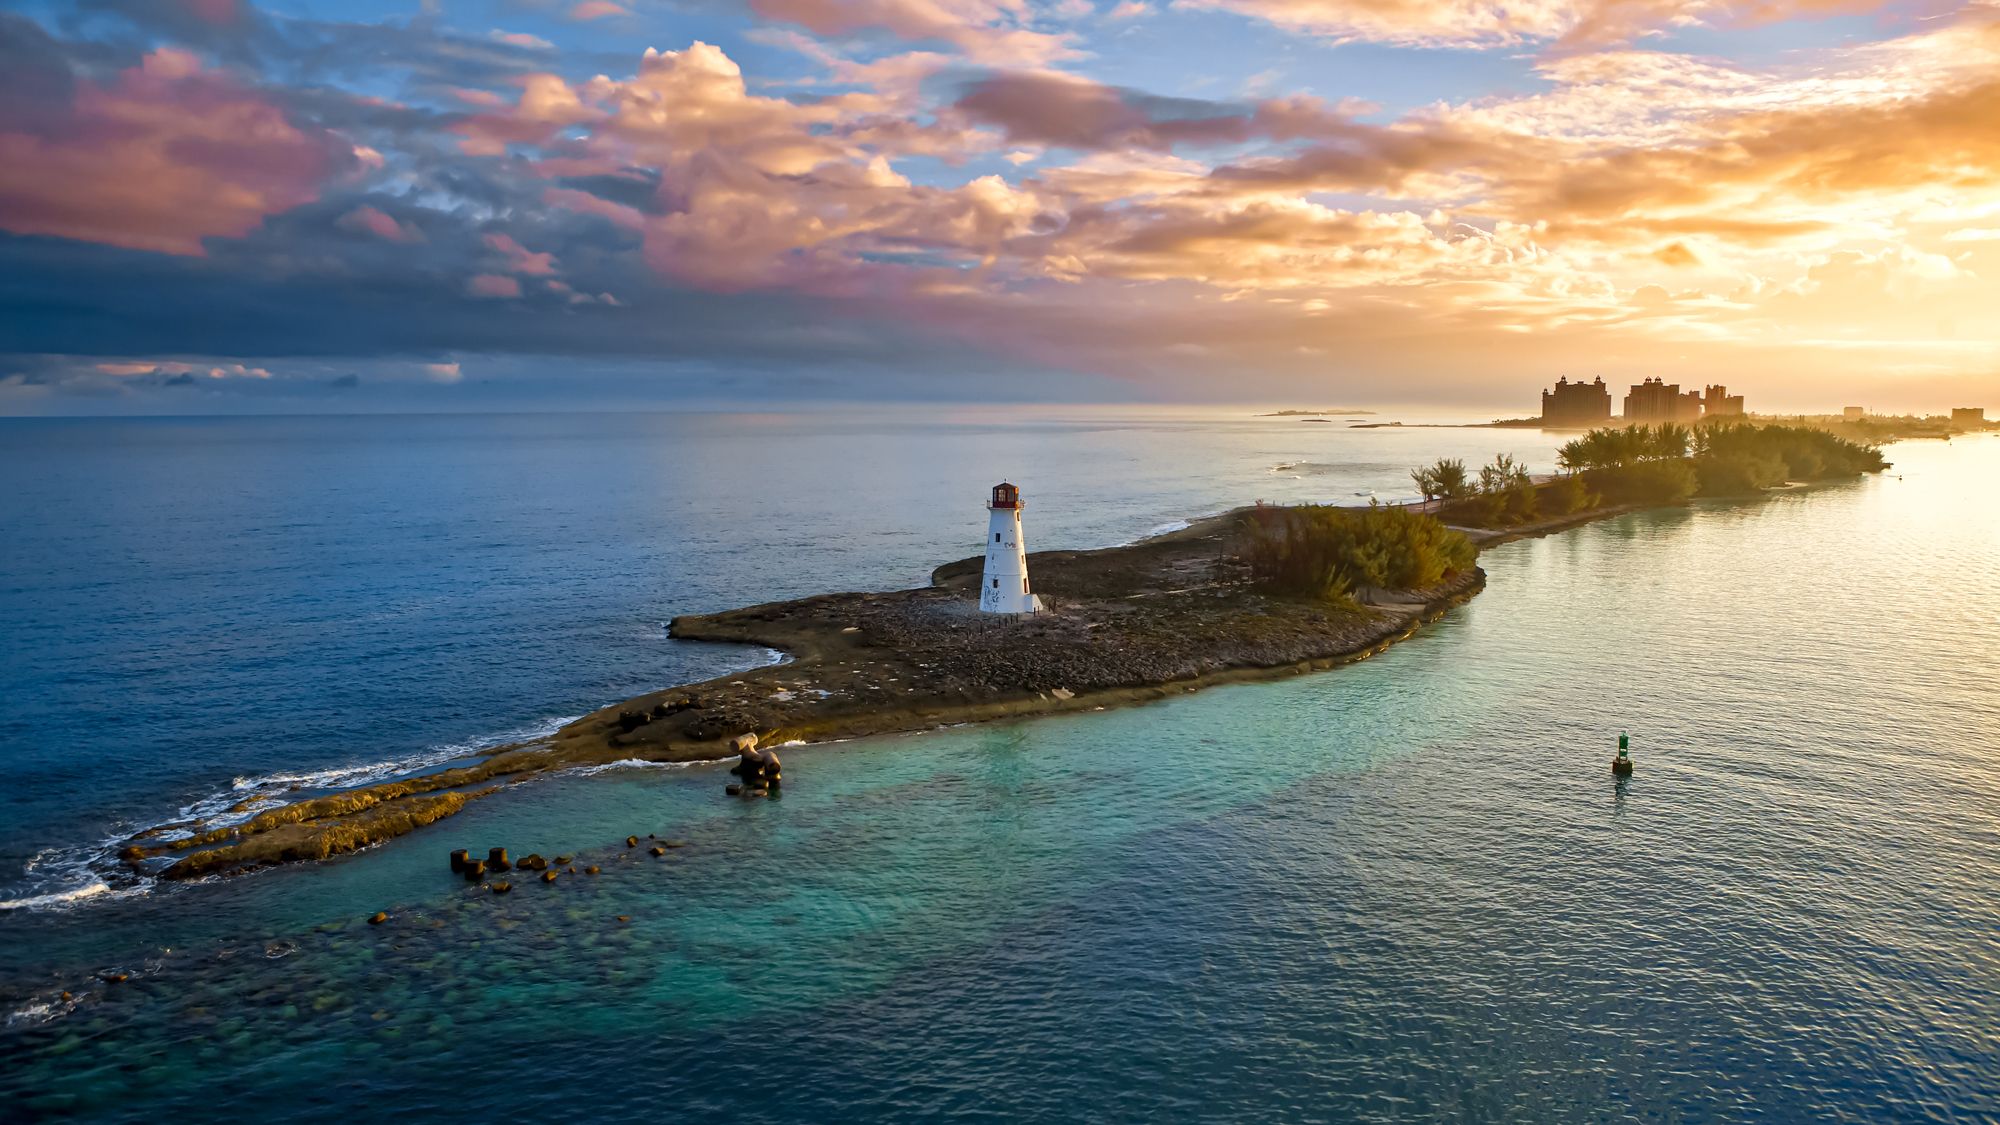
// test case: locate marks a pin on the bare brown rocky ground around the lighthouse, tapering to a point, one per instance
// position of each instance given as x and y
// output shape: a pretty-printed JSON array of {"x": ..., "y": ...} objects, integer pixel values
[{"x": 1125, "y": 626}]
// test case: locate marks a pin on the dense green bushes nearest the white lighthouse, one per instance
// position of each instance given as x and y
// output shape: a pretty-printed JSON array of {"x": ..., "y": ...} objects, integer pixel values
[{"x": 1325, "y": 553}]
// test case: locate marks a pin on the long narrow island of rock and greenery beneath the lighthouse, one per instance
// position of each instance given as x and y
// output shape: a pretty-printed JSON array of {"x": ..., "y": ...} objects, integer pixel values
[{"x": 1253, "y": 594}]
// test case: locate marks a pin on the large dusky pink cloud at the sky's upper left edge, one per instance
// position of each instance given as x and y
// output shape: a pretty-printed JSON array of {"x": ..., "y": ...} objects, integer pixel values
[{"x": 161, "y": 159}]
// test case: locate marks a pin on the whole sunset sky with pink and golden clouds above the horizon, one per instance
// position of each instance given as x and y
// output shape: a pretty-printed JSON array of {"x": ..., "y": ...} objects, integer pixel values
[{"x": 433, "y": 205}]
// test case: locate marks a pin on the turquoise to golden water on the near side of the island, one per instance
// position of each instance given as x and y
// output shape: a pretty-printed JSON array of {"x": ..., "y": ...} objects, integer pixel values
[{"x": 1399, "y": 890}]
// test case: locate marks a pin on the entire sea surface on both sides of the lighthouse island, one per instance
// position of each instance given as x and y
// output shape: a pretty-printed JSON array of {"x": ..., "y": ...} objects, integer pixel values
[{"x": 1395, "y": 892}]
